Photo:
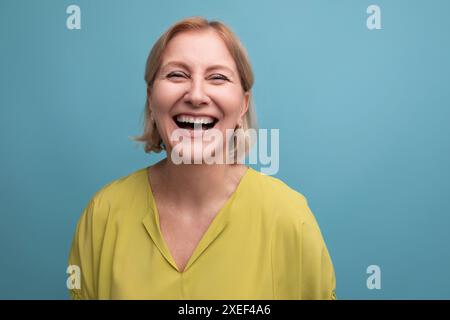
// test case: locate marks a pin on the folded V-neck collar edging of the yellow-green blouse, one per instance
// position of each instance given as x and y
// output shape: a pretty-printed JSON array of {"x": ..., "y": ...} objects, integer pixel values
[{"x": 218, "y": 224}]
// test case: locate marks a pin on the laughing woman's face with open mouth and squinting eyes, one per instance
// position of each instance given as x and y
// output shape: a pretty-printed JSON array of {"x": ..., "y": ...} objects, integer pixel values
[{"x": 197, "y": 82}]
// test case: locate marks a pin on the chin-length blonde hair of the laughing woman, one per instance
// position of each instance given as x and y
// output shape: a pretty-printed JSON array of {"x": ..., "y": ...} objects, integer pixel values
[{"x": 151, "y": 137}]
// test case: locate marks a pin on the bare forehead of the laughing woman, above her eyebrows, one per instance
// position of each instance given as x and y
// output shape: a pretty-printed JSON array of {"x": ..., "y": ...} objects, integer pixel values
[{"x": 198, "y": 48}]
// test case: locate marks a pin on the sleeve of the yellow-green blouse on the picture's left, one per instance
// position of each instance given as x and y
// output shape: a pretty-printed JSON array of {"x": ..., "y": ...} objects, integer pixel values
[{"x": 85, "y": 250}]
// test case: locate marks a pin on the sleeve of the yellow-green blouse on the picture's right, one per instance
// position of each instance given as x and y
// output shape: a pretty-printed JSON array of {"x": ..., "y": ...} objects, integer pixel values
[{"x": 301, "y": 265}]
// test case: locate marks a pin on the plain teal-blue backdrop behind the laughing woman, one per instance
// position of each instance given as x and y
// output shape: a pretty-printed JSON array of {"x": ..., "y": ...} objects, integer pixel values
[{"x": 363, "y": 117}]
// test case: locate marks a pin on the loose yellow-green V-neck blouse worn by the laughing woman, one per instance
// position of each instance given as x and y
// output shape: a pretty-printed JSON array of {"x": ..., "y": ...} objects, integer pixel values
[{"x": 263, "y": 244}]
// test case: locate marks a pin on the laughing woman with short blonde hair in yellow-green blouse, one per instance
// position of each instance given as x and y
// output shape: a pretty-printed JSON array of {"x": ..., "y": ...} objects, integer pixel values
[{"x": 196, "y": 229}]
